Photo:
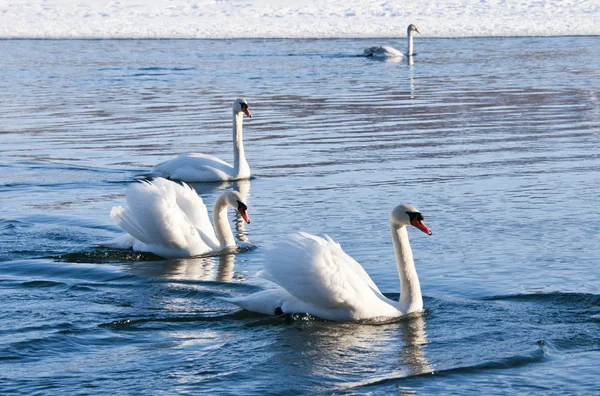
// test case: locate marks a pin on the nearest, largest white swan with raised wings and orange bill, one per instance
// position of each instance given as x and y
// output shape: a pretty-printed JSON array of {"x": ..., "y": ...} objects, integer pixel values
[{"x": 314, "y": 275}]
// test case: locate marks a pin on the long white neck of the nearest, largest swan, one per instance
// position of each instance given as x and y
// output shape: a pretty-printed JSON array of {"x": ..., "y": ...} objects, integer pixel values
[{"x": 410, "y": 288}]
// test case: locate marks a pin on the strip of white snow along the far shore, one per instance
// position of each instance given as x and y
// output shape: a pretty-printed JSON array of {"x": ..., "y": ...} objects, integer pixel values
[{"x": 294, "y": 18}]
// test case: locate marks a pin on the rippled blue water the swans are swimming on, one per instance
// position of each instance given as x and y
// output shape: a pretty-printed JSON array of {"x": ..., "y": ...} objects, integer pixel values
[{"x": 495, "y": 140}]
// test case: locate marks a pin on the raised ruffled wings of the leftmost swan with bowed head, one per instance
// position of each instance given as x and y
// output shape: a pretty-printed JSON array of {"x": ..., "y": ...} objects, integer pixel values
[{"x": 153, "y": 217}]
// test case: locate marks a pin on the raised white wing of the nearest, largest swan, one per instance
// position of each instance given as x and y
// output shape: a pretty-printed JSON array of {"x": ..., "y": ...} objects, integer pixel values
[{"x": 318, "y": 272}]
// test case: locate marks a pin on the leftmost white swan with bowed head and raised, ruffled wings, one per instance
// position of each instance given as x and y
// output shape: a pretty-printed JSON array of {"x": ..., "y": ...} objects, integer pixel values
[{"x": 170, "y": 220}]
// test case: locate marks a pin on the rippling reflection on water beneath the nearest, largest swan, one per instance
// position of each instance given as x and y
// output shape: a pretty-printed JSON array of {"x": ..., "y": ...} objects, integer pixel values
[{"x": 364, "y": 353}]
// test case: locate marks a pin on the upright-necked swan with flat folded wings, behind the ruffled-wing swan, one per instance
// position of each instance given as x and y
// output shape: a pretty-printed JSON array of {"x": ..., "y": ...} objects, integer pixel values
[{"x": 194, "y": 167}]
